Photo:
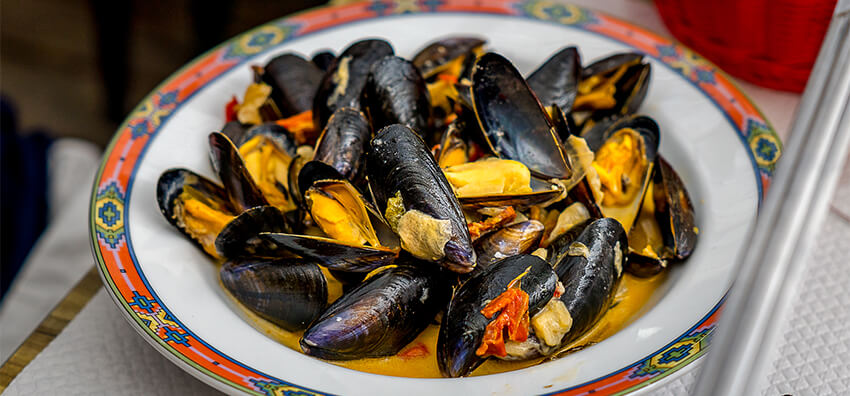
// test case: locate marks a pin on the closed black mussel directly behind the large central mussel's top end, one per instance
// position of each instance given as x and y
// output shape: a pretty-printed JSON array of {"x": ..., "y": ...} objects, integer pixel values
[{"x": 395, "y": 93}]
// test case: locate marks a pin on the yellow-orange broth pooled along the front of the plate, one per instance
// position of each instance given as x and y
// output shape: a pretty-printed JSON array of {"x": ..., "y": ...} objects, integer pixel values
[{"x": 418, "y": 359}]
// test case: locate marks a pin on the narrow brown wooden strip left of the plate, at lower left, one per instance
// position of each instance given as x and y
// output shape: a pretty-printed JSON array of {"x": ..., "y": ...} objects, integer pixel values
[{"x": 50, "y": 327}]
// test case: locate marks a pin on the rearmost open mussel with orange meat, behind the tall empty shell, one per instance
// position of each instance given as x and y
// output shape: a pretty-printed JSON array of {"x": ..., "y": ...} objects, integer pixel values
[{"x": 440, "y": 54}]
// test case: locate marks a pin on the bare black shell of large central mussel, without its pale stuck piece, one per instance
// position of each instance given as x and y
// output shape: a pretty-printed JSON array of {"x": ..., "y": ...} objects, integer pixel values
[{"x": 399, "y": 164}]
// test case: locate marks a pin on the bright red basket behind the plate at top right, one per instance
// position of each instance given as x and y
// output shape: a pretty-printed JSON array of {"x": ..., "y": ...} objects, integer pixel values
[{"x": 772, "y": 43}]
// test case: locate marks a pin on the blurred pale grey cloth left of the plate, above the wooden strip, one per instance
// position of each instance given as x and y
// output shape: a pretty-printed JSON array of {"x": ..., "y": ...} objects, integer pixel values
[{"x": 62, "y": 255}]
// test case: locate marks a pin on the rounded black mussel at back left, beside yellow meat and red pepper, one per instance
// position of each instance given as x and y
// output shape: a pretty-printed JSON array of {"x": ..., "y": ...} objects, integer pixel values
[{"x": 294, "y": 81}]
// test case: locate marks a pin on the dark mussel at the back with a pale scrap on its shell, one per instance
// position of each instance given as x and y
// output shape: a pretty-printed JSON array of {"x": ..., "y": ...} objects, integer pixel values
[{"x": 343, "y": 82}]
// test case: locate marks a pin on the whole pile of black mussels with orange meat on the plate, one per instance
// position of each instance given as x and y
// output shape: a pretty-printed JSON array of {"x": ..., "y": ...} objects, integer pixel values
[{"x": 448, "y": 189}]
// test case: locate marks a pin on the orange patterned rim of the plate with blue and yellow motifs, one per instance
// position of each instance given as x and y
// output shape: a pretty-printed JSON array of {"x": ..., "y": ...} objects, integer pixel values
[{"x": 119, "y": 267}]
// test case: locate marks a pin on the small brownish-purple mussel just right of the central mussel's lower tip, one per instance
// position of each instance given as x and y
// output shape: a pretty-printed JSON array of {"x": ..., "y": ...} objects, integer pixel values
[{"x": 511, "y": 240}]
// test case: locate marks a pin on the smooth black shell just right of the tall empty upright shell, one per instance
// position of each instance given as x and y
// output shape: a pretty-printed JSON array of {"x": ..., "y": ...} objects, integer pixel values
[{"x": 556, "y": 80}]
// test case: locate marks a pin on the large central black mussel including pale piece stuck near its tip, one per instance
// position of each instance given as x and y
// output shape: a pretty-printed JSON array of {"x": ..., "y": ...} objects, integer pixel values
[{"x": 417, "y": 201}]
